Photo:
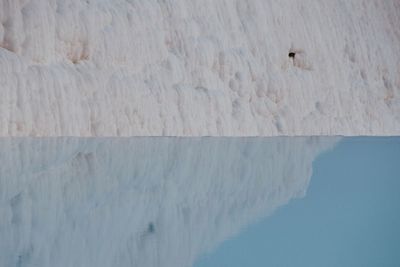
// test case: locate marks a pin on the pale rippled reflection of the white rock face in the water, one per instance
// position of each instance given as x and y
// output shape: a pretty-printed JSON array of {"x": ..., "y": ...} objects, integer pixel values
[{"x": 141, "y": 201}]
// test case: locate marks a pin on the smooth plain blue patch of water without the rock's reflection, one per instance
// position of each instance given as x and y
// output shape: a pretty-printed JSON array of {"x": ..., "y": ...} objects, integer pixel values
[{"x": 350, "y": 215}]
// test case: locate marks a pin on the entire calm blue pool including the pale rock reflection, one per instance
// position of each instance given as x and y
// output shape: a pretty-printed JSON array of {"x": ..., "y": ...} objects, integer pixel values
[{"x": 306, "y": 201}]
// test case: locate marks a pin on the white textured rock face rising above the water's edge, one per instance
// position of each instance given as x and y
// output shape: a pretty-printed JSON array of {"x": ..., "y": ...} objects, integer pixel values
[{"x": 209, "y": 67}]
